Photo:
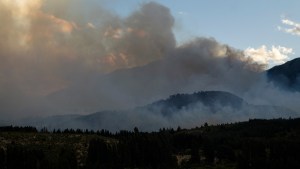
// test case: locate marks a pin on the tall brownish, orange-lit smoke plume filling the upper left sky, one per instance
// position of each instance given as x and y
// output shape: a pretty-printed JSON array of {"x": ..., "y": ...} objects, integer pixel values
[{"x": 49, "y": 45}]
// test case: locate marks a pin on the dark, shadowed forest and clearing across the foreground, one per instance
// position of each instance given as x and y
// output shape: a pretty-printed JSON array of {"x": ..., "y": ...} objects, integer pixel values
[{"x": 253, "y": 144}]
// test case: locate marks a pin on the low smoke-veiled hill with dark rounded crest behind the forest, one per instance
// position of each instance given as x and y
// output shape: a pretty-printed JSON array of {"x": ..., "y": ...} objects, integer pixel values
[{"x": 186, "y": 110}]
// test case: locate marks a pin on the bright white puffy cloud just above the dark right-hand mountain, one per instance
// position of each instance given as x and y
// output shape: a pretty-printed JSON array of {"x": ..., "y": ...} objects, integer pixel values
[{"x": 275, "y": 55}]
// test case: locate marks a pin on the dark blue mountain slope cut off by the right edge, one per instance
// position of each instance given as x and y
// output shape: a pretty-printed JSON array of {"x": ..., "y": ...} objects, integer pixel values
[{"x": 286, "y": 76}]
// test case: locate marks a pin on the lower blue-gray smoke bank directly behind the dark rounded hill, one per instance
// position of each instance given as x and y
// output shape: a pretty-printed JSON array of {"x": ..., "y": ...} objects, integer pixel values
[{"x": 202, "y": 64}]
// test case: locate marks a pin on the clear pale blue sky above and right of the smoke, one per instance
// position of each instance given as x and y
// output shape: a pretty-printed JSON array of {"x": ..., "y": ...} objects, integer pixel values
[{"x": 246, "y": 24}]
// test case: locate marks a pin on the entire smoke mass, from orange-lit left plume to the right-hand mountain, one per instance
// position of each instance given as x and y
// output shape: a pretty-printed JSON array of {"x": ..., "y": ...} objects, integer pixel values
[{"x": 75, "y": 57}]
